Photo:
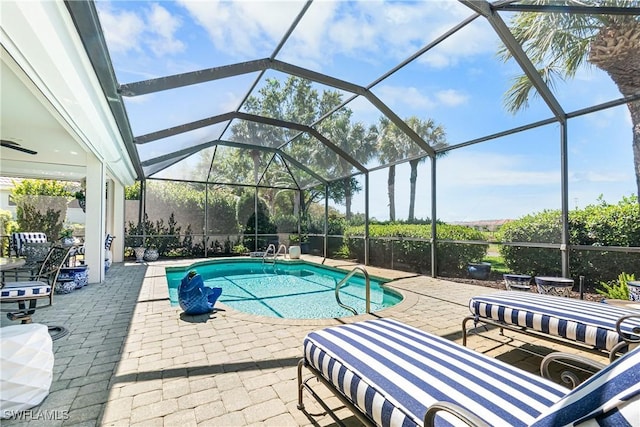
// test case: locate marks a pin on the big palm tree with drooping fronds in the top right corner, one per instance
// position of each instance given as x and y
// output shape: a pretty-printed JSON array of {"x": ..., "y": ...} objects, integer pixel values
[{"x": 558, "y": 44}]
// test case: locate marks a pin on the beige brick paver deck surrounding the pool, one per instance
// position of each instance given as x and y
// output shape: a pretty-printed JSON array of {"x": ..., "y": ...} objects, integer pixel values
[{"x": 131, "y": 359}]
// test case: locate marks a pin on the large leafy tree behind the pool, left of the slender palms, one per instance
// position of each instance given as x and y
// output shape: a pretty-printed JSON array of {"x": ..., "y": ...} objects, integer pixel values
[{"x": 296, "y": 100}]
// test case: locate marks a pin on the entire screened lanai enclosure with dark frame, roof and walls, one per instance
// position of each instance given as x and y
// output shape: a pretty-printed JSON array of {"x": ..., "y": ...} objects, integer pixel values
[{"x": 314, "y": 121}]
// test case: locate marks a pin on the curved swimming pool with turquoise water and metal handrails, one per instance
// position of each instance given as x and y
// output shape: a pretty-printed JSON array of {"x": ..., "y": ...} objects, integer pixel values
[{"x": 288, "y": 289}]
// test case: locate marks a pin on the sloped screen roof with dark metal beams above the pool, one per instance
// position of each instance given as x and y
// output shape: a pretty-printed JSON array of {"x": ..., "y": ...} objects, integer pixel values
[{"x": 298, "y": 93}]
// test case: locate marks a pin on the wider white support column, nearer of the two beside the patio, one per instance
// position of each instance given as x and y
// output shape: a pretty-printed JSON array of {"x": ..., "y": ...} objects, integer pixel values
[{"x": 95, "y": 219}]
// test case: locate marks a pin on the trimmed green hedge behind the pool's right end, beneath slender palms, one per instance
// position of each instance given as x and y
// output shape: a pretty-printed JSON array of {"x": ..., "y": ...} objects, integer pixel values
[{"x": 415, "y": 255}]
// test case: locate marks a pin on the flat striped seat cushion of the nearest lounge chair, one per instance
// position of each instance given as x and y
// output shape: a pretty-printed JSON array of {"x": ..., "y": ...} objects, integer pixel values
[{"x": 393, "y": 372}]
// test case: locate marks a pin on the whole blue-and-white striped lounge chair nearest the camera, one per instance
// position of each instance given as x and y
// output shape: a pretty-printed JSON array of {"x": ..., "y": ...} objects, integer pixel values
[{"x": 392, "y": 374}]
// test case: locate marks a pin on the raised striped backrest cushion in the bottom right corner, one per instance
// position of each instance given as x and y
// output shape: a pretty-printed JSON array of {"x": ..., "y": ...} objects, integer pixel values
[{"x": 609, "y": 398}]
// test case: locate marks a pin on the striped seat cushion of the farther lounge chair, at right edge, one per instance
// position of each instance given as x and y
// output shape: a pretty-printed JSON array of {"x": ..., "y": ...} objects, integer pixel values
[{"x": 587, "y": 322}]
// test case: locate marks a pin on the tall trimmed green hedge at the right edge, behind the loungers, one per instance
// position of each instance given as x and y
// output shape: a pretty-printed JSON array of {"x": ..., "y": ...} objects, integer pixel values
[{"x": 595, "y": 225}]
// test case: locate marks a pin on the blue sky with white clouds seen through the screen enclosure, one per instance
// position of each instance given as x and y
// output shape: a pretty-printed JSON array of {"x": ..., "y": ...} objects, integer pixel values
[{"x": 459, "y": 83}]
